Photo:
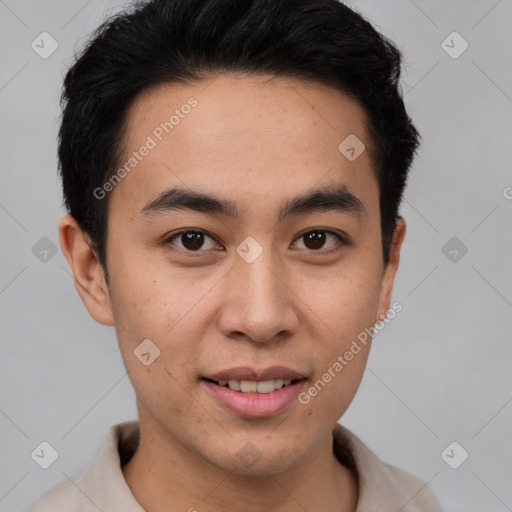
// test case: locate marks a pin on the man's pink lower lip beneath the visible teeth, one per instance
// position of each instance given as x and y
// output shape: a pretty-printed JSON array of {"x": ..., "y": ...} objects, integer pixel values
[{"x": 255, "y": 405}]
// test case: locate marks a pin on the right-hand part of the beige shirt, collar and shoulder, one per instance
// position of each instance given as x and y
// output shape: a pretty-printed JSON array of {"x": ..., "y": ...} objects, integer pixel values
[{"x": 382, "y": 486}]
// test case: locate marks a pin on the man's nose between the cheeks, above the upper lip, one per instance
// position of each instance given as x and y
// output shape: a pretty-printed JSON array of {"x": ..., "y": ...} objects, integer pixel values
[{"x": 258, "y": 302}]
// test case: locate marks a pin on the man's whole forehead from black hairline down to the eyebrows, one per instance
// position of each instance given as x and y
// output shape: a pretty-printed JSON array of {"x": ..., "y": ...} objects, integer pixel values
[{"x": 255, "y": 137}]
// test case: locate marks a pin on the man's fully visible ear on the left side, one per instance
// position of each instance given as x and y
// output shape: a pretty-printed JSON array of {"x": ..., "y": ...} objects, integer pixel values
[{"x": 87, "y": 272}]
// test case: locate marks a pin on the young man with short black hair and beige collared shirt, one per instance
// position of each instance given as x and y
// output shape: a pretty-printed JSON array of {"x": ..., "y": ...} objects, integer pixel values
[{"x": 232, "y": 172}]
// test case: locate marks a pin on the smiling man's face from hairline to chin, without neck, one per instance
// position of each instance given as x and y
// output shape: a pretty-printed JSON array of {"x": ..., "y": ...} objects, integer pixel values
[{"x": 254, "y": 291}]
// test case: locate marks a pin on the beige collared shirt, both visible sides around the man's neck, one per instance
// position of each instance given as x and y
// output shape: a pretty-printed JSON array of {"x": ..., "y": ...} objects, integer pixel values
[{"x": 101, "y": 485}]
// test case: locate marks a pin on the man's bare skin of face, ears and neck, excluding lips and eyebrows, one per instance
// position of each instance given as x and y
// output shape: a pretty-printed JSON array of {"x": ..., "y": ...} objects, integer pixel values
[{"x": 257, "y": 142}]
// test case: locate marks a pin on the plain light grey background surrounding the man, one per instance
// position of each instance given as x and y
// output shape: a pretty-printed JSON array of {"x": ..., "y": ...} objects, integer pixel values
[{"x": 438, "y": 373}]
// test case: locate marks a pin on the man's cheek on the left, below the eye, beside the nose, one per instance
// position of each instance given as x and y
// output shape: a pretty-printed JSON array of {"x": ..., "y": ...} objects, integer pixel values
[{"x": 147, "y": 305}]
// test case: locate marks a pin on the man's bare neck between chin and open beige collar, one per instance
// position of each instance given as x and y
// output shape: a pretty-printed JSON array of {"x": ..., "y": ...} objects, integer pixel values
[{"x": 162, "y": 471}]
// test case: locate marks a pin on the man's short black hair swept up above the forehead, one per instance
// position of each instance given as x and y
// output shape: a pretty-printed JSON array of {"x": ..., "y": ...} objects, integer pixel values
[{"x": 180, "y": 41}]
